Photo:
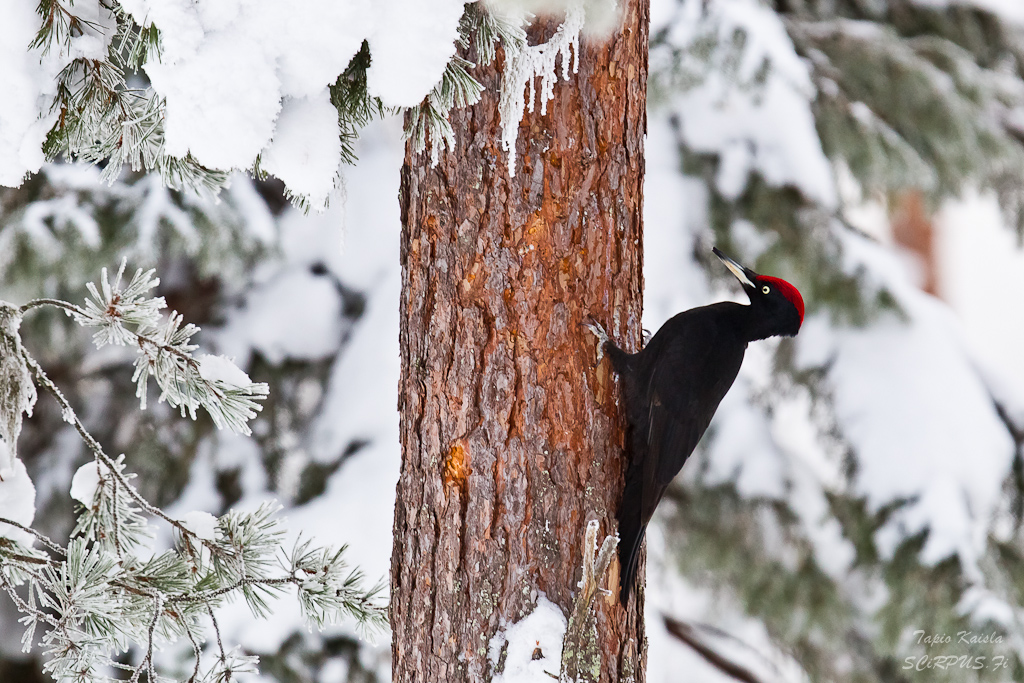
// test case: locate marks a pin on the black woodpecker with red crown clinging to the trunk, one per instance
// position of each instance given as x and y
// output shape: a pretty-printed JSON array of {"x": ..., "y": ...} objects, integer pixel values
[{"x": 673, "y": 387}]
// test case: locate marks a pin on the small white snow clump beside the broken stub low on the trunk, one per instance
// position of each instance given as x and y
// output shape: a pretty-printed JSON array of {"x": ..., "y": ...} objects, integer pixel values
[{"x": 542, "y": 630}]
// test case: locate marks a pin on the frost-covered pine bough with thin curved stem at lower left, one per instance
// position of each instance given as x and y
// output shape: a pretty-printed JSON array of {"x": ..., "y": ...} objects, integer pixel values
[{"x": 110, "y": 590}]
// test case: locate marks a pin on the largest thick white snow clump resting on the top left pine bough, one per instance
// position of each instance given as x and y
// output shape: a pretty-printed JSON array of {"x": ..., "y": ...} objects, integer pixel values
[{"x": 227, "y": 67}]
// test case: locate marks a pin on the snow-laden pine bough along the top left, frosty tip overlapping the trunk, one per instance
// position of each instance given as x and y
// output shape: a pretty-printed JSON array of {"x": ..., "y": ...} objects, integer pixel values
[{"x": 272, "y": 89}]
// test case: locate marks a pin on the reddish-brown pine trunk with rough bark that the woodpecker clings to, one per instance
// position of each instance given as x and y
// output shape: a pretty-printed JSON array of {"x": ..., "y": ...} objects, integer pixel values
[{"x": 513, "y": 436}]
